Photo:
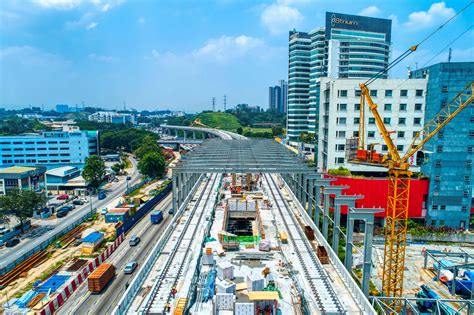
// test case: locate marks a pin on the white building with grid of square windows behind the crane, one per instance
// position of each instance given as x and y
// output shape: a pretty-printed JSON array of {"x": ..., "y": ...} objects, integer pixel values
[{"x": 400, "y": 103}]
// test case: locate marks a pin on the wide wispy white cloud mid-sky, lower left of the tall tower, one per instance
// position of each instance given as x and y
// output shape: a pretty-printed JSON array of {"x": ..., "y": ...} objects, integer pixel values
[{"x": 226, "y": 48}]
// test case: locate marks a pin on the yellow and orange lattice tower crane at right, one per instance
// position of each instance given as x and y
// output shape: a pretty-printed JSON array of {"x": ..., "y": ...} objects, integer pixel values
[{"x": 399, "y": 176}]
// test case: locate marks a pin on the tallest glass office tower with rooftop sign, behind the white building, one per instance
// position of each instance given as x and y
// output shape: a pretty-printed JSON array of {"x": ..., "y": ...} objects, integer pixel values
[{"x": 349, "y": 46}]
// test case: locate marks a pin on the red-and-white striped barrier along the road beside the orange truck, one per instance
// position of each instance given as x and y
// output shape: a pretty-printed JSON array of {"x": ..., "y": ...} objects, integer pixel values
[{"x": 62, "y": 296}]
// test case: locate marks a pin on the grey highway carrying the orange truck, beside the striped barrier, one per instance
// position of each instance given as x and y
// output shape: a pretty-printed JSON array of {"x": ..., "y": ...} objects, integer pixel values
[{"x": 83, "y": 302}]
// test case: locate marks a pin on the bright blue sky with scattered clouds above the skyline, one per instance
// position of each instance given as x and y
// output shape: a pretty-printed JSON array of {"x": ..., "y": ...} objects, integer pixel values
[{"x": 179, "y": 54}]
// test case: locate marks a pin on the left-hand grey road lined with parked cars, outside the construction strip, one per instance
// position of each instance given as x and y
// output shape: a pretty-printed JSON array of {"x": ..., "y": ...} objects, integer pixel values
[{"x": 9, "y": 255}]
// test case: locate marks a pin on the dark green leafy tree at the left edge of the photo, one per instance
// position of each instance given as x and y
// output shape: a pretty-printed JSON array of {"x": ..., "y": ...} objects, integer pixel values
[{"x": 22, "y": 203}]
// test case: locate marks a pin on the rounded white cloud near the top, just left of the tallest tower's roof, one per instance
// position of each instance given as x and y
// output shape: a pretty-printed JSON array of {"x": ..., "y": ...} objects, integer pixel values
[{"x": 280, "y": 17}]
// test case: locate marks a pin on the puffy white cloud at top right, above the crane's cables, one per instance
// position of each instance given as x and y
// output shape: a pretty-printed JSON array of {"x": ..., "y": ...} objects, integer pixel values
[{"x": 436, "y": 14}]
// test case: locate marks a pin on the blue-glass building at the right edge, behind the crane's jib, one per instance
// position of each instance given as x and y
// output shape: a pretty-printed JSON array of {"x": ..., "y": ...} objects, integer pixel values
[{"x": 451, "y": 151}]
